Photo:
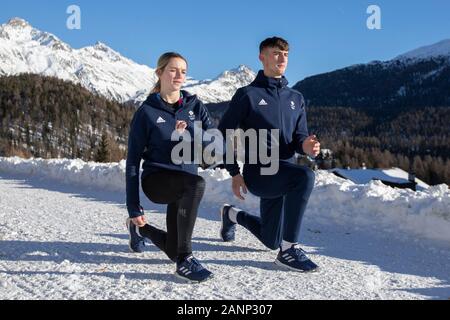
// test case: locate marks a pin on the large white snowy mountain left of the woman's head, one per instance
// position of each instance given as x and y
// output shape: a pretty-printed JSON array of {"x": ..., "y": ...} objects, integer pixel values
[{"x": 98, "y": 68}]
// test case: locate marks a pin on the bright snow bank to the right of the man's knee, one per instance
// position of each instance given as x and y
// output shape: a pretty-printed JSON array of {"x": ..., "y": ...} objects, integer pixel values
[{"x": 423, "y": 213}]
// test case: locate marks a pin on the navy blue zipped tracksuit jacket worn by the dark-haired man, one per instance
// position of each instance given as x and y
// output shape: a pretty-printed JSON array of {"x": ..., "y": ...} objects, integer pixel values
[{"x": 268, "y": 103}]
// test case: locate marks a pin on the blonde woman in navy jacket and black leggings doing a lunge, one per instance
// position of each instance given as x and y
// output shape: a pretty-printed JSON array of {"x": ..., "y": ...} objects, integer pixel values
[{"x": 168, "y": 108}]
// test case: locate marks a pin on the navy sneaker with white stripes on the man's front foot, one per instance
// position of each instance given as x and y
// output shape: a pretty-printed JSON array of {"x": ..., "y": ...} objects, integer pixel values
[{"x": 295, "y": 259}]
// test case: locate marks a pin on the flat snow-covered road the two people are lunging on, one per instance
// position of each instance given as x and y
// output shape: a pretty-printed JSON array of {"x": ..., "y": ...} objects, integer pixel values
[{"x": 69, "y": 242}]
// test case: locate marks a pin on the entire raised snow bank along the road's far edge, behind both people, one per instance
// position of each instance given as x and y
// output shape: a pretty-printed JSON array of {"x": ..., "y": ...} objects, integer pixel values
[{"x": 334, "y": 200}]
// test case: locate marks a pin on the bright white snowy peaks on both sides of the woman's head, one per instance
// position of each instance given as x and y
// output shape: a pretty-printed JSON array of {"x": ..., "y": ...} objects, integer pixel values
[{"x": 98, "y": 68}]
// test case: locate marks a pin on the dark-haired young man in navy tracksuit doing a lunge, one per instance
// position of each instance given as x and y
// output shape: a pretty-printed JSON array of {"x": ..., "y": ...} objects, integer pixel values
[{"x": 268, "y": 103}]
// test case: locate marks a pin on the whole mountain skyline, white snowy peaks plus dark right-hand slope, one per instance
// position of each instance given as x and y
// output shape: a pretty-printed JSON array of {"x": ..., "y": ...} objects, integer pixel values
[{"x": 417, "y": 78}]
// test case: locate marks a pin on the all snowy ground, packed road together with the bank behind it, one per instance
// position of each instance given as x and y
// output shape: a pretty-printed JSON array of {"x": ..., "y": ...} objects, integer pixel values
[{"x": 63, "y": 236}]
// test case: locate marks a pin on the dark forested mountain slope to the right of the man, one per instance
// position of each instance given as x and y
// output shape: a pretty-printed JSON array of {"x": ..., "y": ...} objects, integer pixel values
[{"x": 419, "y": 78}]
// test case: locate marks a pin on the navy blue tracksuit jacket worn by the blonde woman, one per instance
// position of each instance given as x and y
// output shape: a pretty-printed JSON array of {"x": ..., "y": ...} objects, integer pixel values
[{"x": 150, "y": 139}]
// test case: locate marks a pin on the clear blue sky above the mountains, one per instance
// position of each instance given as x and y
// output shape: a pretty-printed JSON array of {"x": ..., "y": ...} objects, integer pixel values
[{"x": 217, "y": 35}]
